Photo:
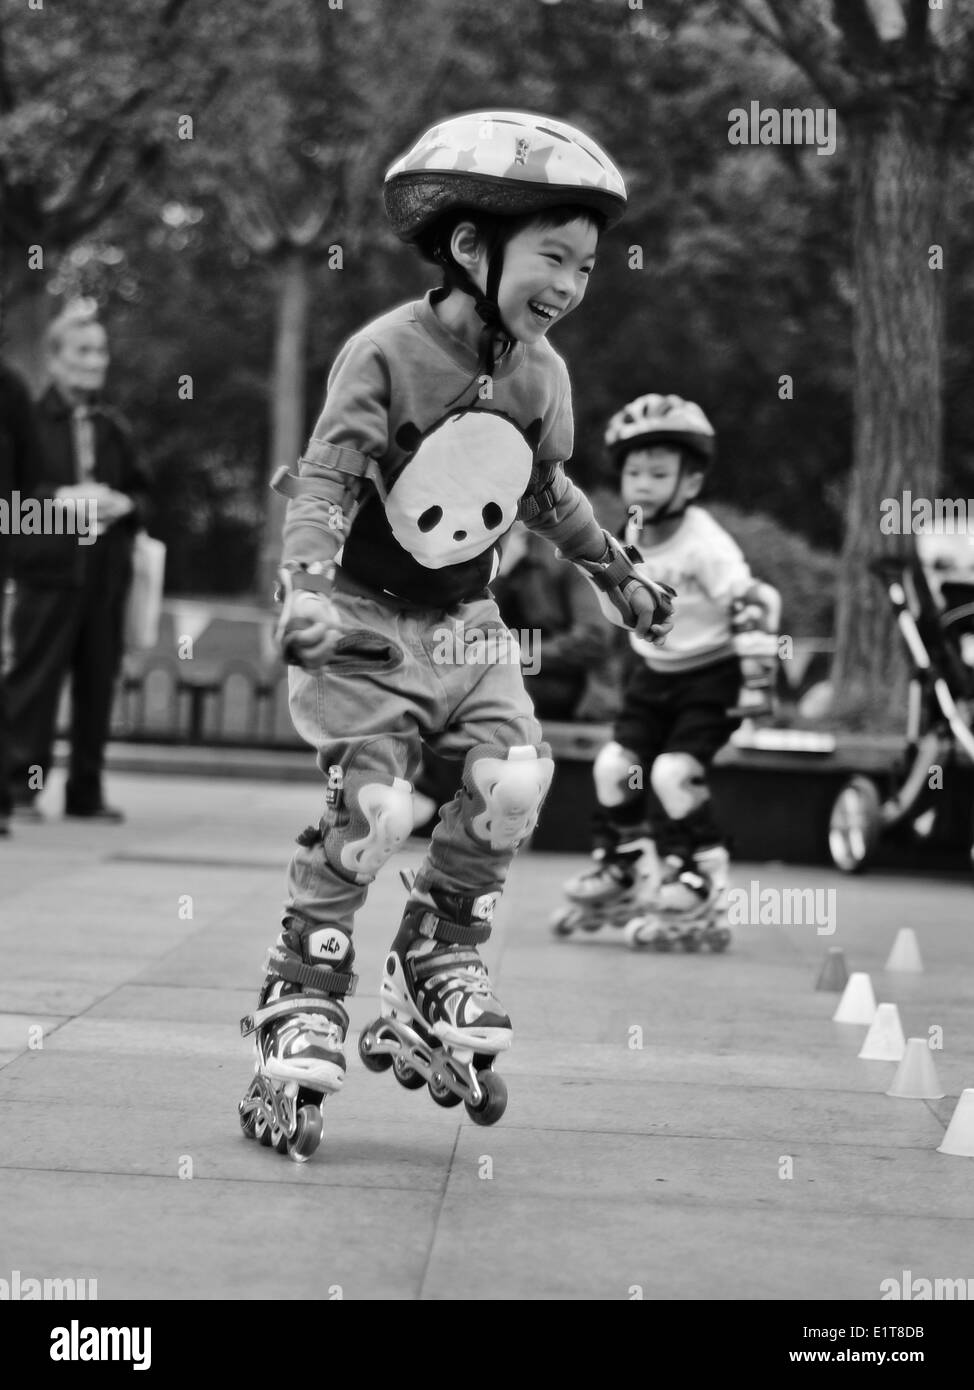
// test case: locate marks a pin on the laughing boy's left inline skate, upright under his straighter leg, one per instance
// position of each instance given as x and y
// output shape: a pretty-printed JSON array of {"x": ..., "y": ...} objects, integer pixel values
[{"x": 301, "y": 1029}]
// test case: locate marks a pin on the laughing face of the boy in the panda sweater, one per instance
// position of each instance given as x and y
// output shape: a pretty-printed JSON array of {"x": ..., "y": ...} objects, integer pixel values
[{"x": 545, "y": 276}]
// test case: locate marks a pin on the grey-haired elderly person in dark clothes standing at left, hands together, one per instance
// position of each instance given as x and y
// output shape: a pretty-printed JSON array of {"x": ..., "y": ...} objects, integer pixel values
[{"x": 72, "y": 590}]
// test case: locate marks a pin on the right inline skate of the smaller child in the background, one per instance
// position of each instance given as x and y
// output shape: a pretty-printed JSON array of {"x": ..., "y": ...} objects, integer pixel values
[{"x": 690, "y": 906}]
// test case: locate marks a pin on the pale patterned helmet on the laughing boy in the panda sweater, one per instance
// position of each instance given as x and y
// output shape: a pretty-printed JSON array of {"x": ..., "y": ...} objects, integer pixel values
[{"x": 500, "y": 162}]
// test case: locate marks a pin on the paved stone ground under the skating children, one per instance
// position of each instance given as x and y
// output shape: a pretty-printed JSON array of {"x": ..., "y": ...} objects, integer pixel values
[{"x": 616, "y": 1166}]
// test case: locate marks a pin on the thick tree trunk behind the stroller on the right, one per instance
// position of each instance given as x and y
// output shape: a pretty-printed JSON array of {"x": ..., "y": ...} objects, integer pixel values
[{"x": 898, "y": 172}]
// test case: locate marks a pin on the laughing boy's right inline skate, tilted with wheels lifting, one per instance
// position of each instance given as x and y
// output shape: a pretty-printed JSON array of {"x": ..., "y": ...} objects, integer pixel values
[{"x": 440, "y": 1022}]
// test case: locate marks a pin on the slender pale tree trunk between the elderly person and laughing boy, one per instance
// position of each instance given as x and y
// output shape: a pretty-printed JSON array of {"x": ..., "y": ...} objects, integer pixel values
[{"x": 287, "y": 401}]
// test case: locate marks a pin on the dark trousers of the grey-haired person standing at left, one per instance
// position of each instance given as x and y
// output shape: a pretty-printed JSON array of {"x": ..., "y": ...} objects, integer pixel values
[{"x": 55, "y": 635}]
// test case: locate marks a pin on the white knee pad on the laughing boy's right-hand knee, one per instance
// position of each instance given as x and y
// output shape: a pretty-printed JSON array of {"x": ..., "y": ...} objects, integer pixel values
[{"x": 508, "y": 787}]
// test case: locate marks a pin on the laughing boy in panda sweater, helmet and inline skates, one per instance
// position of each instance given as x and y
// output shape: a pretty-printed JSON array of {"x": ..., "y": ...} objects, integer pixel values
[{"x": 445, "y": 422}]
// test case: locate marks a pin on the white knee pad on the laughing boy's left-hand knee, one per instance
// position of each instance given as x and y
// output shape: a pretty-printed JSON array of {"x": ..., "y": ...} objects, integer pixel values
[{"x": 366, "y": 821}]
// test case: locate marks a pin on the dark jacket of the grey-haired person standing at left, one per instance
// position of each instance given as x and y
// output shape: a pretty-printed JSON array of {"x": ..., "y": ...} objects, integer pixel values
[{"x": 60, "y": 561}]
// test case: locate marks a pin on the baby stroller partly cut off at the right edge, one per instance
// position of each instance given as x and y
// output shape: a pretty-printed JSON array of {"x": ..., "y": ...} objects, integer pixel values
[{"x": 933, "y": 598}]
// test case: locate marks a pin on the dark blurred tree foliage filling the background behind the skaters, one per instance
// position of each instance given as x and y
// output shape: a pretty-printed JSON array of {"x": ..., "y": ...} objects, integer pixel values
[{"x": 745, "y": 254}]
